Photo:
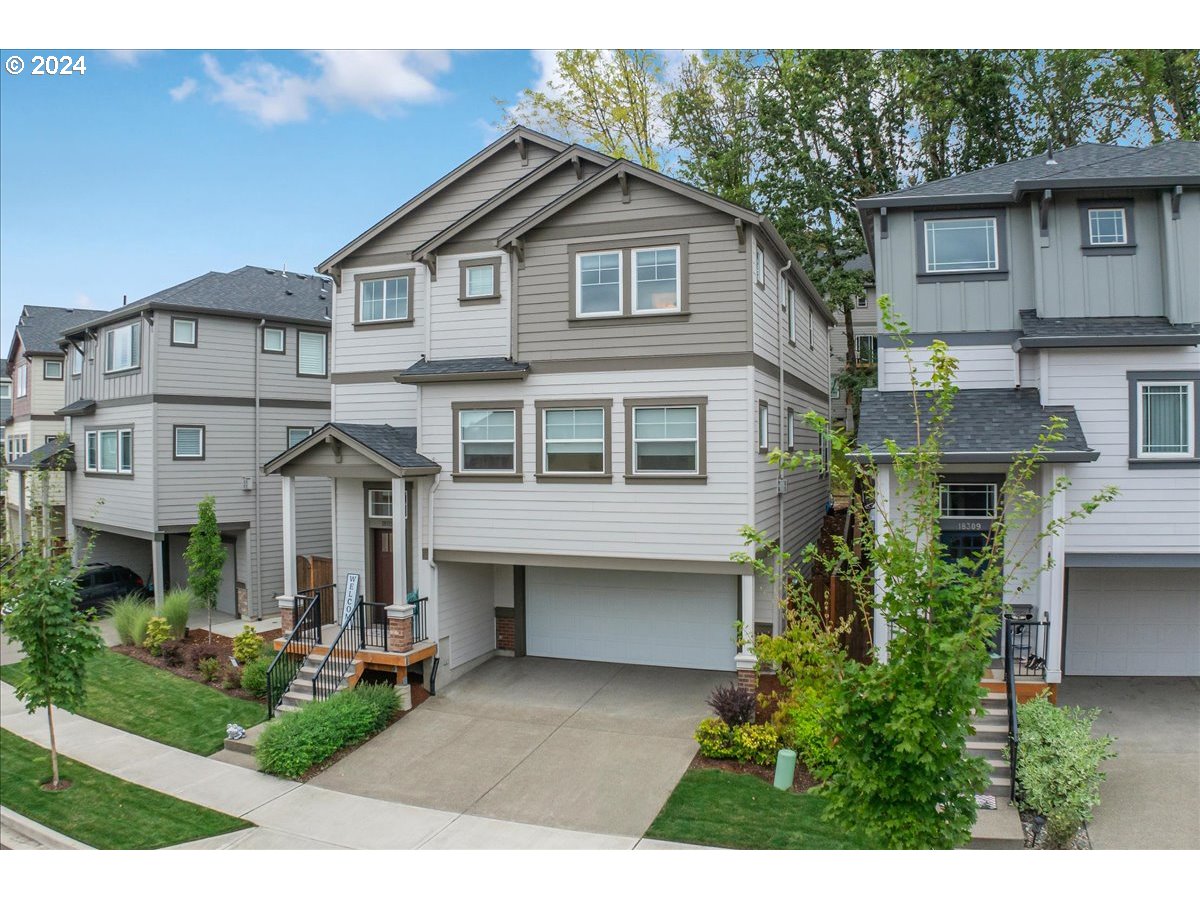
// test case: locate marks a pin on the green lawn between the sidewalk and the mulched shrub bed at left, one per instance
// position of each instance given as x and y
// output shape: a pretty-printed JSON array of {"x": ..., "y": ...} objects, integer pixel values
[{"x": 158, "y": 705}]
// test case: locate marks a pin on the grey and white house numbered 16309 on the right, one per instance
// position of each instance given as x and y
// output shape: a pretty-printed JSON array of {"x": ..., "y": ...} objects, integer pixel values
[{"x": 1065, "y": 286}]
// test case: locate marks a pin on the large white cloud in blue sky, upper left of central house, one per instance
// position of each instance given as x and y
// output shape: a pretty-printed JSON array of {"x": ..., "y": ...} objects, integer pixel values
[{"x": 380, "y": 82}]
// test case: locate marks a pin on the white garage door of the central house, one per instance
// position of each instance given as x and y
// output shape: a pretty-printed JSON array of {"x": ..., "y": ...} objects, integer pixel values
[{"x": 647, "y": 619}]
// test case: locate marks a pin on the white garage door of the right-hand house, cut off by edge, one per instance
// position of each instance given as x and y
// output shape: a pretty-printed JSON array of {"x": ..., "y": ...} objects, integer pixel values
[{"x": 1133, "y": 622}]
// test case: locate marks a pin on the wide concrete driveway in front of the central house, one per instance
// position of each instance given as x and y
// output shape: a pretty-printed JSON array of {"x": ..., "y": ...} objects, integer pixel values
[{"x": 591, "y": 747}]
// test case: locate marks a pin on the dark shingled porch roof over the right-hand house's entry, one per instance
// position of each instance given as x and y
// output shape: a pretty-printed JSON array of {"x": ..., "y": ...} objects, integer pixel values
[{"x": 998, "y": 423}]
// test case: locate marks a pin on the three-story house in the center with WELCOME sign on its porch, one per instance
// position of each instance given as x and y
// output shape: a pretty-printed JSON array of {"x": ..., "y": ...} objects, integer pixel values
[{"x": 556, "y": 380}]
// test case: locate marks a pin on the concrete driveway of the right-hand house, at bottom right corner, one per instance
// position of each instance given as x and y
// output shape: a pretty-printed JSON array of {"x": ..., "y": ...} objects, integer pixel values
[{"x": 1151, "y": 799}]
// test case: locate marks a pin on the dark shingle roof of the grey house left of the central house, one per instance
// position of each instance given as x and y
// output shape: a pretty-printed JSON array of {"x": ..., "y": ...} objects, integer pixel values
[{"x": 250, "y": 292}]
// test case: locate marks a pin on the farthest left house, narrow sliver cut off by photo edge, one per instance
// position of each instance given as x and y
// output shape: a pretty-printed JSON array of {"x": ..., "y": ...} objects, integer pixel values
[{"x": 35, "y": 367}]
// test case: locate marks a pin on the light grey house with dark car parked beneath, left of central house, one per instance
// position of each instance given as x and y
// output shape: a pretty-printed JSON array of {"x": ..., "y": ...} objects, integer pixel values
[{"x": 184, "y": 394}]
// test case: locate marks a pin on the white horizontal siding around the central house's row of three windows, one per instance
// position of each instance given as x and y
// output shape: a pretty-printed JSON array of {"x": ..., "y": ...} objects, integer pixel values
[{"x": 676, "y": 521}]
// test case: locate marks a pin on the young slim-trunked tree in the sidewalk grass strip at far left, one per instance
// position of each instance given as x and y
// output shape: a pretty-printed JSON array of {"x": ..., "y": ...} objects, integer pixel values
[{"x": 39, "y": 584}]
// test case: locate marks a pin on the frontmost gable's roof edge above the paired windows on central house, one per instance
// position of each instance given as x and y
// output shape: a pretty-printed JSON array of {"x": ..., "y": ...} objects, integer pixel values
[{"x": 627, "y": 169}]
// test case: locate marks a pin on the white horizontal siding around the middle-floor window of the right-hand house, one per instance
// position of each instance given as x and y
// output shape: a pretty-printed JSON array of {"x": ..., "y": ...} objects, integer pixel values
[{"x": 1156, "y": 509}]
